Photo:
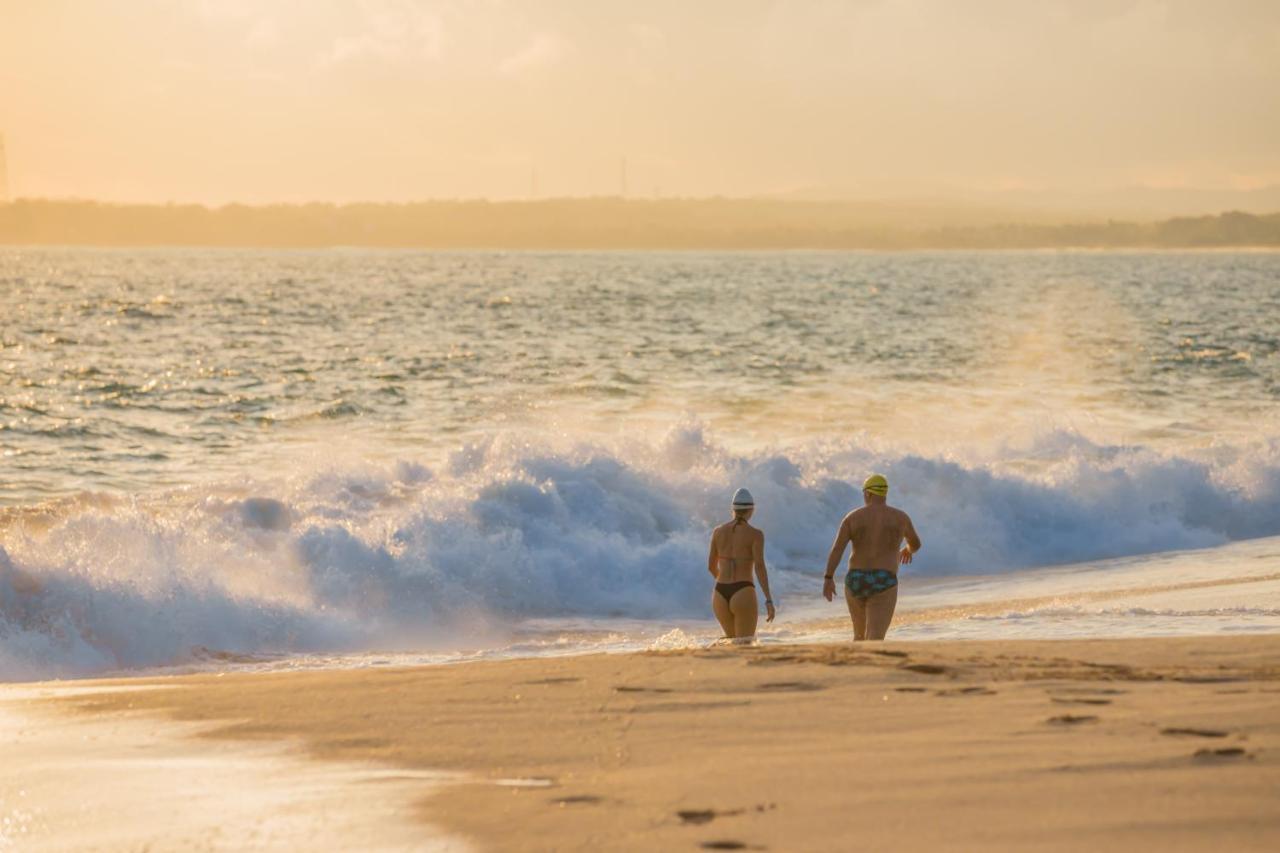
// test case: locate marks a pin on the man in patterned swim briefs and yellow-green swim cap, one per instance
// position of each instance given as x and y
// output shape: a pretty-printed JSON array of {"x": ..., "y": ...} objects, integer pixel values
[{"x": 871, "y": 587}]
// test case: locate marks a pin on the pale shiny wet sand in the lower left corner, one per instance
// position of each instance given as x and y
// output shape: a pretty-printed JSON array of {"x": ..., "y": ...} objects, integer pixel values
[{"x": 132, "y": 782}]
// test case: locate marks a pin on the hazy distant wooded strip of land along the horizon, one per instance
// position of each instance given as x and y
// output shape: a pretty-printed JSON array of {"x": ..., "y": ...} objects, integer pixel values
[{"x": 587, "y": 223}]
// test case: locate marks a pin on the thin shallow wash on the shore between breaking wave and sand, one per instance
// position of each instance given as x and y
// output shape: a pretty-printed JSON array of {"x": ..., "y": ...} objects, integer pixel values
[{"x": 1168, "y": 595}]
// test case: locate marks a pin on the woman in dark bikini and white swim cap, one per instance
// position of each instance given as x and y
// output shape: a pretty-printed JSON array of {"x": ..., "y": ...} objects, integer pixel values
[{"x": 737, "y": 550}]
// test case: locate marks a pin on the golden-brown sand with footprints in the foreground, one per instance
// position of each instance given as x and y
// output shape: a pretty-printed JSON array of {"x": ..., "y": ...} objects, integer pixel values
[{"x": 1099, "y": 745}]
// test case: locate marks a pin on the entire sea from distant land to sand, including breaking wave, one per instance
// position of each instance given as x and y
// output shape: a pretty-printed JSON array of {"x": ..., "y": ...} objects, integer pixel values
[{"x": 348, "y": 458}]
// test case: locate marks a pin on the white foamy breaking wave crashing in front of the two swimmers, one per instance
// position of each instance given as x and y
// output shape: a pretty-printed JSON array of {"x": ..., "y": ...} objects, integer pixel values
[{"x": 523, "y": 527}]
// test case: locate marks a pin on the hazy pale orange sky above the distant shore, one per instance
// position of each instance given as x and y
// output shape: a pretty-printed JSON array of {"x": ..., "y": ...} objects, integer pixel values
[{"x": 394, "y": 101}]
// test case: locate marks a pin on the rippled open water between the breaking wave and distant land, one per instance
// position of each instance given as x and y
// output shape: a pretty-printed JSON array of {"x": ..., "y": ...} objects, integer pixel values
[{"x": 125, "y": 371}]
